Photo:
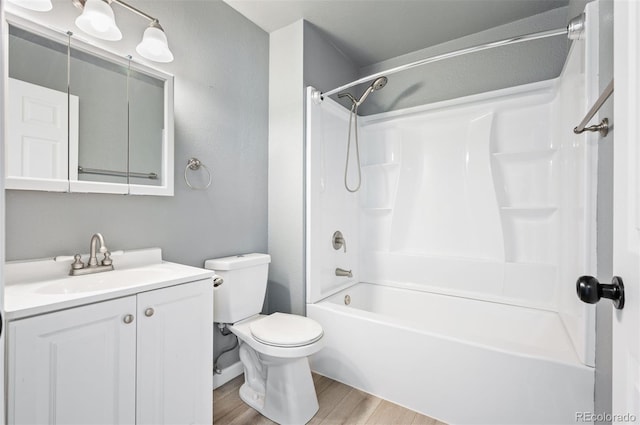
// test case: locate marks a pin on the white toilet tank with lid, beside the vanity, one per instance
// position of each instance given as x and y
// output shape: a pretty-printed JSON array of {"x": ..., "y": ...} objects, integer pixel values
[{"x": 244, "y": 286}]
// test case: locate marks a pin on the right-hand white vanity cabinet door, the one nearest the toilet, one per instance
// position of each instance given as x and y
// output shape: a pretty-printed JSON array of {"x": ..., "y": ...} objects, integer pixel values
[{"x": 175, "y": 355}]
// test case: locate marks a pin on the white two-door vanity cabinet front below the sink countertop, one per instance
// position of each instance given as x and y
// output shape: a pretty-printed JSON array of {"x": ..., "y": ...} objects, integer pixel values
[{"x": 144, "y": 359}]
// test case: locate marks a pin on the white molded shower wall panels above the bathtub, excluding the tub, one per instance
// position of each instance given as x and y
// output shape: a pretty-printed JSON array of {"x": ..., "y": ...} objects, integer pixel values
[{"x": 498, "y": 240}]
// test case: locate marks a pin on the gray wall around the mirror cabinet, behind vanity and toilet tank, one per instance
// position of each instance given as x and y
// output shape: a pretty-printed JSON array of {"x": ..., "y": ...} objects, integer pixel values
[{"x": 221, "y": 117}]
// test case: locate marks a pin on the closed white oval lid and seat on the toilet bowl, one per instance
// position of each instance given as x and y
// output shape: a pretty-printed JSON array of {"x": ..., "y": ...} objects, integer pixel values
[{"x": 286, "y": 330}]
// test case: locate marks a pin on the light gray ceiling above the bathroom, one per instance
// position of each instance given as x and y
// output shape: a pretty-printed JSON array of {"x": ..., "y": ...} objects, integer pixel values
[{"x": 370, "y": 31}]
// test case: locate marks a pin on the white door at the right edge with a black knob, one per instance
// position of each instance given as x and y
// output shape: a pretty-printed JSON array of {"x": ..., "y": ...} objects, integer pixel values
[{"x": 626, "y": 245}]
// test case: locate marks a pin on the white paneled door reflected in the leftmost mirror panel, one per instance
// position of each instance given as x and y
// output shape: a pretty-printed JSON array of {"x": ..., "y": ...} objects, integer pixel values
[{"x": 37, "y": 134}]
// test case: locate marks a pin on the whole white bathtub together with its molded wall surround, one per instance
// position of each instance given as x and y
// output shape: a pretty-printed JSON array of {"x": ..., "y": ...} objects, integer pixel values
[{"x": 475, "y": 217}]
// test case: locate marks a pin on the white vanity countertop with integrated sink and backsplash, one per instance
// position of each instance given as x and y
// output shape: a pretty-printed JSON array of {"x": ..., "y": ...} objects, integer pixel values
[{"x": 42, "y": 286}]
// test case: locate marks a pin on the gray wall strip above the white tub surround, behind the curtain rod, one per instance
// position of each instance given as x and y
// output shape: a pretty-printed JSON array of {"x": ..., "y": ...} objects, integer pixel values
[{"x": 473, "y": 73}]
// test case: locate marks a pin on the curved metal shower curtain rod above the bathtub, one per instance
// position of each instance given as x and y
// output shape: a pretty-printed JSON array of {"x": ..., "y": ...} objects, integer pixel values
[{"x": 573, "y": 30}]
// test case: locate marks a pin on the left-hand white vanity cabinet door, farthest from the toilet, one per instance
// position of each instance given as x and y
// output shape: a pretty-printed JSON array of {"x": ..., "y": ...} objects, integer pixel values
[{"x": 74, "y": 366}]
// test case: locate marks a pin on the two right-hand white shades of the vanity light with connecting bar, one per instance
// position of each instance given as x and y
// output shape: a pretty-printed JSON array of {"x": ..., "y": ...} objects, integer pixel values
[{"x": 97, "y": 19}]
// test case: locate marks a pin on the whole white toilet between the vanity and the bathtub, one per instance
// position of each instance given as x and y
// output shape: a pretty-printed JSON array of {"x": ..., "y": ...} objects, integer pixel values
[{"x": 273, "y": 348}]
